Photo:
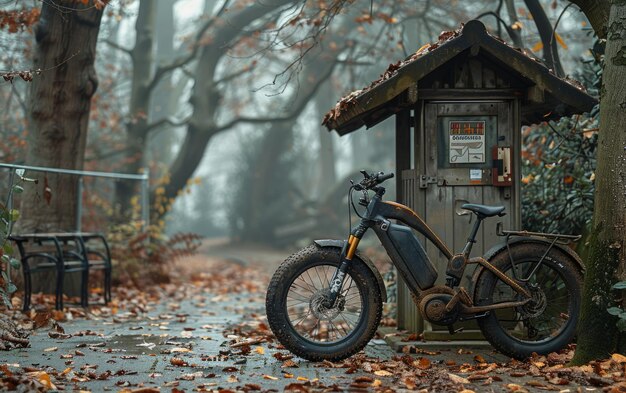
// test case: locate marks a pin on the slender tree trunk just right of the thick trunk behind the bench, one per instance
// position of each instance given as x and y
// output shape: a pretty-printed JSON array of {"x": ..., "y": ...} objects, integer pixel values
[{"x": 142, "y": 56}]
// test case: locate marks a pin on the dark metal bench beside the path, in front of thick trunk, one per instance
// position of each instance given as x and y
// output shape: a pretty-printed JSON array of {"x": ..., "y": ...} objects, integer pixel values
[{"x": 64, "y": 253}]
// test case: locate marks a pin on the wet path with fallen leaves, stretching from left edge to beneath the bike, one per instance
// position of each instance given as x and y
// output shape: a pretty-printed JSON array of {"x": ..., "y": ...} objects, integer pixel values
[{"x": 206, "y": 339}]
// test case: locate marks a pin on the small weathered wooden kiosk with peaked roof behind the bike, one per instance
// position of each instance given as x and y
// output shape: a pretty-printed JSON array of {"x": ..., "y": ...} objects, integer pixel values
[{"x": 459, "y": 104}]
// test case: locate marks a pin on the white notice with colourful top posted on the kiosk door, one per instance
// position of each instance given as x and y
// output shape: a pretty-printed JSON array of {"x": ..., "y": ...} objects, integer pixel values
[{"x": 467, "y": 141}]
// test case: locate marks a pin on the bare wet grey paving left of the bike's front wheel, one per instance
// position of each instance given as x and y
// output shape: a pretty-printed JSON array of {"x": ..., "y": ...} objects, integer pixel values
[{"x": 140, "y": 352}]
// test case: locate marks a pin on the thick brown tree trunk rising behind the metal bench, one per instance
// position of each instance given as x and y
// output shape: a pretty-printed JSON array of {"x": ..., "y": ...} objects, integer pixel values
[{"x": 59, "y": 112}]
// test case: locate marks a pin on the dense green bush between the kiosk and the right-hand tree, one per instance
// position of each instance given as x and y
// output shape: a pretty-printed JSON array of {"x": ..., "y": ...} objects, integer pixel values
[{"x": 558, "y": 169}]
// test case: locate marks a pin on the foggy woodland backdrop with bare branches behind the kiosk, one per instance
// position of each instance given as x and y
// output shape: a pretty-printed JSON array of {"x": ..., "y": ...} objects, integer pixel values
[{"x": 265, "y": 170}]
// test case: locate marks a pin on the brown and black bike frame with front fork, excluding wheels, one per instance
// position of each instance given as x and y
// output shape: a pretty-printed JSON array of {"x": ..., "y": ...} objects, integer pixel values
[{"x": 377, "y": 217}]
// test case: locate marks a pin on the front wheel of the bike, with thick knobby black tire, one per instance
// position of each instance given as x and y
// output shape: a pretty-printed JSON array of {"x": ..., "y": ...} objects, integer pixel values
[{"x": 297, "y": 309}]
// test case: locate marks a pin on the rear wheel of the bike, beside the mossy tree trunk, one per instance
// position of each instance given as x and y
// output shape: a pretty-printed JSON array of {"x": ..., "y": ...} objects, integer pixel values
[{"x": 548, "y": 321}]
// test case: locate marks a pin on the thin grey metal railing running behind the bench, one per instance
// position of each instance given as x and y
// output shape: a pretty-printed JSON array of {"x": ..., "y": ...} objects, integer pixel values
[{"x": 143, "y": 177}]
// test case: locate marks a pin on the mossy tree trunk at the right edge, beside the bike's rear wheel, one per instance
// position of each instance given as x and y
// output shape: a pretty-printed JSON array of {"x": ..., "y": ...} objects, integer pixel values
[{"x": 598, "y": 336}]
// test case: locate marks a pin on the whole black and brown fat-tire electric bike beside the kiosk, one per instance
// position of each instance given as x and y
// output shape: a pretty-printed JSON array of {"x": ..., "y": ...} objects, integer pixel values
[{"x": 325, "y": 301}]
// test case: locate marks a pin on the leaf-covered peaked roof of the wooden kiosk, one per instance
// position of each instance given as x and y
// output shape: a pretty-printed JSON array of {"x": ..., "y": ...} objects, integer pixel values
[{"x": 375, "y": 103}]
